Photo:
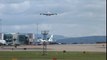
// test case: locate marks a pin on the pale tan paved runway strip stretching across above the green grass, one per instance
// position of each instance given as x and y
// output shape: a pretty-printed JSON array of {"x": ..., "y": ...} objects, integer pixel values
[{"x": 70, "y": 47}]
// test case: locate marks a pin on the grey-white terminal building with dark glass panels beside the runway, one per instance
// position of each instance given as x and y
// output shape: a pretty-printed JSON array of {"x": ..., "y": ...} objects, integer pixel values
[{"x": 18, "y": 38}]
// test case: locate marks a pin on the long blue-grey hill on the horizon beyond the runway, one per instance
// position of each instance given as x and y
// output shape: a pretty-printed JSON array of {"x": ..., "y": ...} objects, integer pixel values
[{"x": 82, "y": 40}]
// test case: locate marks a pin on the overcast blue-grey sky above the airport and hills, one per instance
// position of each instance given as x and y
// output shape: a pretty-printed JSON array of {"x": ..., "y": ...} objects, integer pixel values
[{"x": 75, "y": 17}]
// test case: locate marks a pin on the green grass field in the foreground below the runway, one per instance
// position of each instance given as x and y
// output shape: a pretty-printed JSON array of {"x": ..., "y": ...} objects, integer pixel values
[{"x": 35, "y": 55}]
